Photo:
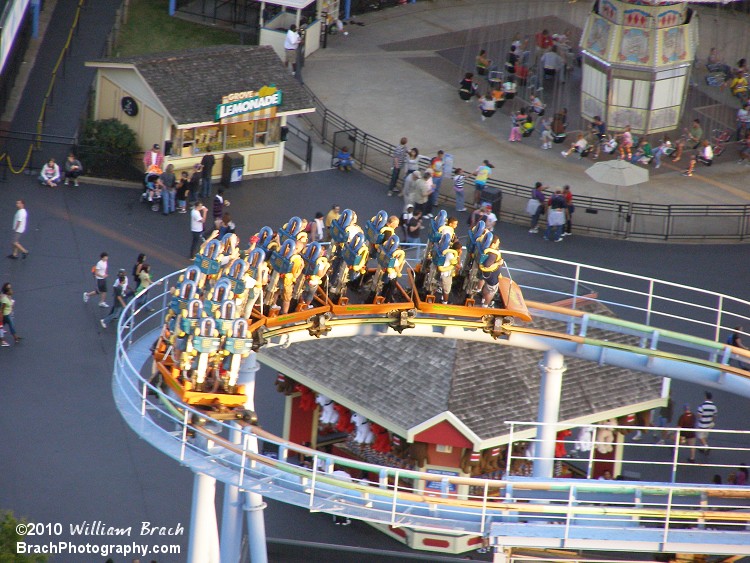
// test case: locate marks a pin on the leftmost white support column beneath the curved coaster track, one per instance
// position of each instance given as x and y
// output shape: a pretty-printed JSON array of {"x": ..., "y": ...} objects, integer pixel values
[{"x": 203, "y": 544}]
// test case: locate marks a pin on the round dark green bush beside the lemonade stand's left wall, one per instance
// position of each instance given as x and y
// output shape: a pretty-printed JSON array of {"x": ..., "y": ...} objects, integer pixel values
[{"x": 108, "y": 148}]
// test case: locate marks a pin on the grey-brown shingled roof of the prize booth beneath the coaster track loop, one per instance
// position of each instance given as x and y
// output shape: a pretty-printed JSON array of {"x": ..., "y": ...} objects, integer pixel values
[{"x": 405, "y": 381}]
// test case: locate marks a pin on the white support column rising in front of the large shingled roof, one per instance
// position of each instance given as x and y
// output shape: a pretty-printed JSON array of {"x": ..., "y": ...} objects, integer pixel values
[{"x": 552, "y": 368}]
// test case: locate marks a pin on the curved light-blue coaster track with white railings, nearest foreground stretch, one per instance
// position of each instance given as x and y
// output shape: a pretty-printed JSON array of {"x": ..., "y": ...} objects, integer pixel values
[{"x": 402, "y": 497}]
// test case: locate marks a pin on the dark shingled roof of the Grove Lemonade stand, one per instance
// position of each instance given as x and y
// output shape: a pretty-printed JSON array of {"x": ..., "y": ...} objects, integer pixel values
[{"x": 191, "y": 83}]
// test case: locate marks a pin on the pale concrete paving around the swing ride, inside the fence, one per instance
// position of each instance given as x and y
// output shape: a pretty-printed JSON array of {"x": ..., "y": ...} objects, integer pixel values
[{"x": 394, "y": 77}]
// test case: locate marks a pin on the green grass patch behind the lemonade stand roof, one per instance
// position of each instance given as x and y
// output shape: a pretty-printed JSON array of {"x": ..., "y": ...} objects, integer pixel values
[{"x": 150, "y": 29}]
